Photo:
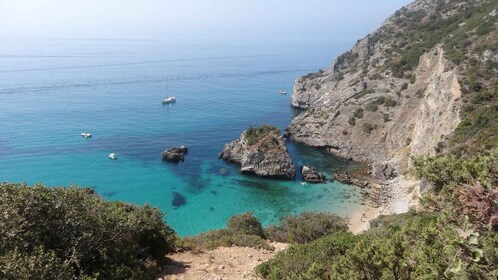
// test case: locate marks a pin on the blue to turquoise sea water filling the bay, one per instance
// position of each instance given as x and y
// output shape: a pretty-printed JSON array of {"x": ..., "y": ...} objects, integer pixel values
[{"x": 51, "y": 90}]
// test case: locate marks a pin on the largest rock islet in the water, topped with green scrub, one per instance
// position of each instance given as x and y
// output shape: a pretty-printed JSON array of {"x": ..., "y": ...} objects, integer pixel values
[{"x": 261, "y": 151}]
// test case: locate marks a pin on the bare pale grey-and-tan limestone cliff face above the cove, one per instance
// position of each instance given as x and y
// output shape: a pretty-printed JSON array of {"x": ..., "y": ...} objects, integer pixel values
[{"x": 387, "y": 127}]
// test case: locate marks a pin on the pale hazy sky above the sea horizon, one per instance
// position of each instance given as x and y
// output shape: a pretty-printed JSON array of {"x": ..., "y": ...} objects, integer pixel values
[{"x": 290, "y": 20}]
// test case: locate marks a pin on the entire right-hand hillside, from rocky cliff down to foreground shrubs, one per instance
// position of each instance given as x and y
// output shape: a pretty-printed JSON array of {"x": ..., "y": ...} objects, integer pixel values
[{"x": 417, "y": 100}]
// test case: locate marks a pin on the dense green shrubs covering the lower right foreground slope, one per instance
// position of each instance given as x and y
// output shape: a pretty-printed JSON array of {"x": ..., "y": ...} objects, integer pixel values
[{"x": 455, "y": 237}]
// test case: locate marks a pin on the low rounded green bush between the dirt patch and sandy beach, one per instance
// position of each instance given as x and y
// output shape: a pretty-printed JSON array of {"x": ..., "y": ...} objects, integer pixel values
[{"x": 306, "y": 227}]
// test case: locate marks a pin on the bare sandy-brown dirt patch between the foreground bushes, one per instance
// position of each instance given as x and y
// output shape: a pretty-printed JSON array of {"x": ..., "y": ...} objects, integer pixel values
[{"x": 222, "y": 263}]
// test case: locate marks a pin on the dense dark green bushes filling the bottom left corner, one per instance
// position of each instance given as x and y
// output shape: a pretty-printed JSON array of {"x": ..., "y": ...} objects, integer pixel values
[{"x": 71, "y": 233}]
